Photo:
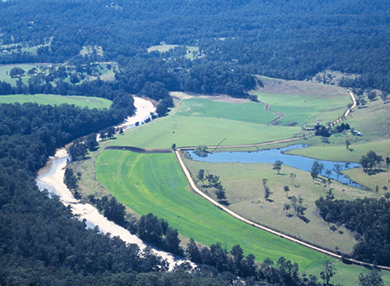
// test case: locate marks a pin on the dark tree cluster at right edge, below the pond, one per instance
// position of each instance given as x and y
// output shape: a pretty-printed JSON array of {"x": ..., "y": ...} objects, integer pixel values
[{"x": 369, "y": 219}]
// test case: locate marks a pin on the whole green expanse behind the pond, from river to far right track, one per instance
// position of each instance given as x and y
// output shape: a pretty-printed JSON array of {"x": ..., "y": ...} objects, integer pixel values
[{"x": 199, "y": 121}]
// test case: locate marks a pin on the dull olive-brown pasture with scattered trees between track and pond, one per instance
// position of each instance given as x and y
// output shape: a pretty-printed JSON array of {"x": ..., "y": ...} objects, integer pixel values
[{"x": 245, "y": 193}]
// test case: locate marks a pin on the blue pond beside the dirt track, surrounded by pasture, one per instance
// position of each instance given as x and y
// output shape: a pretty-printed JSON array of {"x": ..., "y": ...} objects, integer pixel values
[{"x": 271, "y": 155}]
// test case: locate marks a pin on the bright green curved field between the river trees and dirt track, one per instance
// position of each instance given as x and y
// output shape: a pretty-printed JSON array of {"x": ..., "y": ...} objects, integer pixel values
[{"x": 155, "y": 183}]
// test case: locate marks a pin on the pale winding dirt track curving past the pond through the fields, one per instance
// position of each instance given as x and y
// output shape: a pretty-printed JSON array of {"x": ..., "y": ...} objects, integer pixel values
[{"x": 237, "y": 216}]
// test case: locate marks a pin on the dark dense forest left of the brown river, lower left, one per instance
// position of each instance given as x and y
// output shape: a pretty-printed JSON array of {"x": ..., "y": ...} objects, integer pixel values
[{"x": 41, "y": 243}]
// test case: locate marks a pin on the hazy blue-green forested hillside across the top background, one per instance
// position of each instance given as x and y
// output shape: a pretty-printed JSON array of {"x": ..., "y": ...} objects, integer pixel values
[{"x": 289, "y": 39}]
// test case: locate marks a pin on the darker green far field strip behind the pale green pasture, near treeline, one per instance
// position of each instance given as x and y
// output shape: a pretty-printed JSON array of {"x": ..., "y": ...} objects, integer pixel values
[{"x": 248, "y": 112}]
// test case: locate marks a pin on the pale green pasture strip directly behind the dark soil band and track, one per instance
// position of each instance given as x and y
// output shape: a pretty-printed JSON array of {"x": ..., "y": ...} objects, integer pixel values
[{"x": 197, "y": 130}]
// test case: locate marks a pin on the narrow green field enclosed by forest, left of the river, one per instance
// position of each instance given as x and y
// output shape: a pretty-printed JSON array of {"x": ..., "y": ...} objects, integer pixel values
[{"x": 51, "y": 99}]
